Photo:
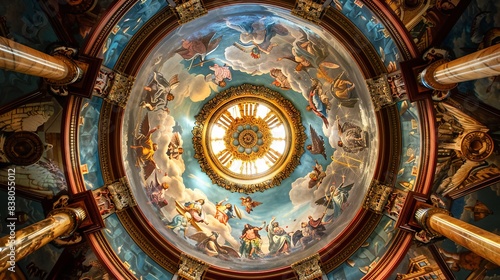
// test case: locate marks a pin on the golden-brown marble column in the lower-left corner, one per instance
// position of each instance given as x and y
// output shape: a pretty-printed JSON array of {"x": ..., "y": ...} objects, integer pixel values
[{"x": 18, "y": 244}]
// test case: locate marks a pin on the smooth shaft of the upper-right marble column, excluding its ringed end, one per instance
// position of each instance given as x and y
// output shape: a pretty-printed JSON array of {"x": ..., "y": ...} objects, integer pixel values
[{"x": 481, "y": 64}]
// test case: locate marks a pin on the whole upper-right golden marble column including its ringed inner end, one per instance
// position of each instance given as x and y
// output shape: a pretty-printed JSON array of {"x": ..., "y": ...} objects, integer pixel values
[{"x": 443, "y": 75}]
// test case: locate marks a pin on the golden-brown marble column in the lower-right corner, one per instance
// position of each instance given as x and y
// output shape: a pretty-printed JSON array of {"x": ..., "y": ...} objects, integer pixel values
[{"x": 437, "y": 222}]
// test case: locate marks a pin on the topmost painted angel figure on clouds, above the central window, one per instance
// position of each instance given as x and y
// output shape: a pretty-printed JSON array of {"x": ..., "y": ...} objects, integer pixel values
[{"x": 256, "y": 37}]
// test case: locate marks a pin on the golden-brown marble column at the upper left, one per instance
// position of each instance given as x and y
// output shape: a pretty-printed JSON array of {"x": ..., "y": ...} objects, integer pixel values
[{"x": 57, "y": 69}]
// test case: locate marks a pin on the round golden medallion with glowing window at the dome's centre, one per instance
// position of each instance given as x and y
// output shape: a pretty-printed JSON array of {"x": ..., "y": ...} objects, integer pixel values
[{"x": 248, "y": 138}]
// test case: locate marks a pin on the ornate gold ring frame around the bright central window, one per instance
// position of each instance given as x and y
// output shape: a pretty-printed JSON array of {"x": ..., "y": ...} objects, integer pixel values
[{"x": 281, "y": 169}]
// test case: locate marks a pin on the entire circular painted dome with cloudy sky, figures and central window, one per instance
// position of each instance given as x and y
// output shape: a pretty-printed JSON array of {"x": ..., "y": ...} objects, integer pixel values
[{"x": 249, "y": 138}]
